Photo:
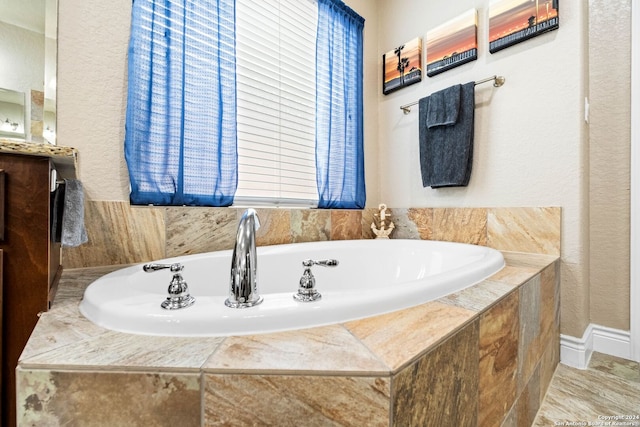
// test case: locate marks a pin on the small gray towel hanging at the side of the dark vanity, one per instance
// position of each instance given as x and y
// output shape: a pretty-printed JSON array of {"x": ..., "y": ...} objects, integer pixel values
[{"x": 73, "y": 232}]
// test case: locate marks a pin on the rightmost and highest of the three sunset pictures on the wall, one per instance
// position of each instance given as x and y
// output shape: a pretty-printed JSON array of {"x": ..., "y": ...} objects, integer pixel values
[{"x": 514, "y": 21}]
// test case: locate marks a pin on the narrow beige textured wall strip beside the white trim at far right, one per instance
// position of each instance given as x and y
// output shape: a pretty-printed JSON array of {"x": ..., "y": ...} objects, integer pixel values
[{"x": 609, "y": 146}]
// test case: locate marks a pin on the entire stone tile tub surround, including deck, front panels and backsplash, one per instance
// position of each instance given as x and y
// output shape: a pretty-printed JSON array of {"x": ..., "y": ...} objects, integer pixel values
[{"x": 481, "y": 356}]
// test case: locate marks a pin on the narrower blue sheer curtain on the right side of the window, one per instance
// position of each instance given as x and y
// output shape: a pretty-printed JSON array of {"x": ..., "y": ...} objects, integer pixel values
[{"x": 339, "y": 121}]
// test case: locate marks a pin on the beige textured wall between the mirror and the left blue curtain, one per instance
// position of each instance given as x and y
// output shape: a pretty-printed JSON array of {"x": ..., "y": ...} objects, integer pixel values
[{"x": 92, "y": 63}]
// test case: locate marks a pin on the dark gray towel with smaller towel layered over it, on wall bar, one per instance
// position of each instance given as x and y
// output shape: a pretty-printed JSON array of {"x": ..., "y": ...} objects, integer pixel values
[{"x": 446, "y": 150}]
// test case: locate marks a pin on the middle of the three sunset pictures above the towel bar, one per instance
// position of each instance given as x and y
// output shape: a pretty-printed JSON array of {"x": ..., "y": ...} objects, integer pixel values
[{"x": 453, "y": 43}]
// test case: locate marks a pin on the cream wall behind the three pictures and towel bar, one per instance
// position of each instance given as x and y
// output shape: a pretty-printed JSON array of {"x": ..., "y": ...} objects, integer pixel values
[{"x": 530, "y": 136}]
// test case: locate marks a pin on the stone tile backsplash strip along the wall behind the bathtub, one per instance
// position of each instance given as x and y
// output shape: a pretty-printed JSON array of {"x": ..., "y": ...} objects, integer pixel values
[{"x": 123, "y": 234}]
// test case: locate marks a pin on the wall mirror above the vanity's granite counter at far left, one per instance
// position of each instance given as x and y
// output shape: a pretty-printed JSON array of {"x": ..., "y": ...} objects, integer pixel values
[{"x": 28, "y": 51}]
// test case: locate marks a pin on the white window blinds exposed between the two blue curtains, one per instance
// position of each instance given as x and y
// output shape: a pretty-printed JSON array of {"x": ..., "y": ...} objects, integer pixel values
[{"x": 276, "y": 42}]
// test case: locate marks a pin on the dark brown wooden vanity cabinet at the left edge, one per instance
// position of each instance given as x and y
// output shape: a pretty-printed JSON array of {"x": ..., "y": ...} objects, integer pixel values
[{"x": 31, "y": 261}]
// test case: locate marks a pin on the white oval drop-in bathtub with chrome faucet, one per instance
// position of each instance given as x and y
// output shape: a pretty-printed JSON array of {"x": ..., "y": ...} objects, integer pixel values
[{"x": 373, "y": 277}]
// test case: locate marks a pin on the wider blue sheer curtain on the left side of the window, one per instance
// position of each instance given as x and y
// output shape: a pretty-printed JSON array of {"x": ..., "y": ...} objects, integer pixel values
[{"x": 180, "y": 140}]
